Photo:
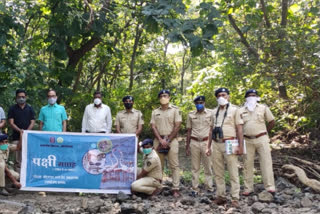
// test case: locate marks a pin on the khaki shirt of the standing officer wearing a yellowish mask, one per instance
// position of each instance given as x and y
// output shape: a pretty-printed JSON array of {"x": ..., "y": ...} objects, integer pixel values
[{"x": 166, "y": 119}]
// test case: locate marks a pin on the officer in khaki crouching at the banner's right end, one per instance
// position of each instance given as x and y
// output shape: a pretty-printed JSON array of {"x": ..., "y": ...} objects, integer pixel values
[{"x": 150, "y": 177}]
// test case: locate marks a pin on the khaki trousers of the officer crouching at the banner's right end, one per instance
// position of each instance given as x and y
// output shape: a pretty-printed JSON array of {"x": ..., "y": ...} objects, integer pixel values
[{"x": 145, "y": 185}]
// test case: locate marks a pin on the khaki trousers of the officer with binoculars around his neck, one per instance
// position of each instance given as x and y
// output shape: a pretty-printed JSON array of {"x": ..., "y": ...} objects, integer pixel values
[{"x": 219, "y": 158}]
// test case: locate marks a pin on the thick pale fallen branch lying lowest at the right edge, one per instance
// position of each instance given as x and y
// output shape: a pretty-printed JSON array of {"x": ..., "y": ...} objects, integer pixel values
[{"x": 312, "y": 183}]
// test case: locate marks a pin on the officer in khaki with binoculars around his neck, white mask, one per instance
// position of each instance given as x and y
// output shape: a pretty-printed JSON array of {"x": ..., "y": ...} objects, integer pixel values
[{"x": 227, "y": 125}]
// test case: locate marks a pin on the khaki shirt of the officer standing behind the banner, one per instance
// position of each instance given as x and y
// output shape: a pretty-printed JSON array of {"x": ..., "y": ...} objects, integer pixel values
[{"x": 129, "y": 122}]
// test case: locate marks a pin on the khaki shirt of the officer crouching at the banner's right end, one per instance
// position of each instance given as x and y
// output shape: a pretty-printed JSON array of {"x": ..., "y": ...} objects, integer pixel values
[{"x": 152, "y": 164}]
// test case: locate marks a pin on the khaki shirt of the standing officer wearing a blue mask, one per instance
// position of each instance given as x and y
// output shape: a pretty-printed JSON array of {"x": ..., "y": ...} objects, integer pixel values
[{"x": 199, "y": 123}]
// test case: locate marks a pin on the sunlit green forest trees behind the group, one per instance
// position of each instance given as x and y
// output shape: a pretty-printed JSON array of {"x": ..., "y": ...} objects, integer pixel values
[{"x": 191, "y": 47}]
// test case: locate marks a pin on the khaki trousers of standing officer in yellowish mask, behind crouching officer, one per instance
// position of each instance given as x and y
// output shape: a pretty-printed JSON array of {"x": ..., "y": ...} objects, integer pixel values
[{"x": 173, "y": 158}]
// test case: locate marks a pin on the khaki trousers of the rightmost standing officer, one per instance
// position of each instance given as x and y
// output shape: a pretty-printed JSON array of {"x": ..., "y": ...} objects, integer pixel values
[{"x": 261, "y": 145}]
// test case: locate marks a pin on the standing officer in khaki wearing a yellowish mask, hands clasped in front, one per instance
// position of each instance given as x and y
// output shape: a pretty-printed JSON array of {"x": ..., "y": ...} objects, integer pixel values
[{"x": 165, "y": 122}]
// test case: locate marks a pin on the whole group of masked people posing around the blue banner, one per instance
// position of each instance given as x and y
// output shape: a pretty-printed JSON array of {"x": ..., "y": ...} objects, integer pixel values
[{"x": 207, "y": 132}]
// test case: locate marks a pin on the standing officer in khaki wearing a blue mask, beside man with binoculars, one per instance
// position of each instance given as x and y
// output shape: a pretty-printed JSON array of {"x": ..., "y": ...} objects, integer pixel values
[{"x": 198, "y": 126}]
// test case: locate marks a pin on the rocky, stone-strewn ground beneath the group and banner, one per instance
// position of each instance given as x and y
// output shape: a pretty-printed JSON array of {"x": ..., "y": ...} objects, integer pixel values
[{"x": 289, "y": 199}]
